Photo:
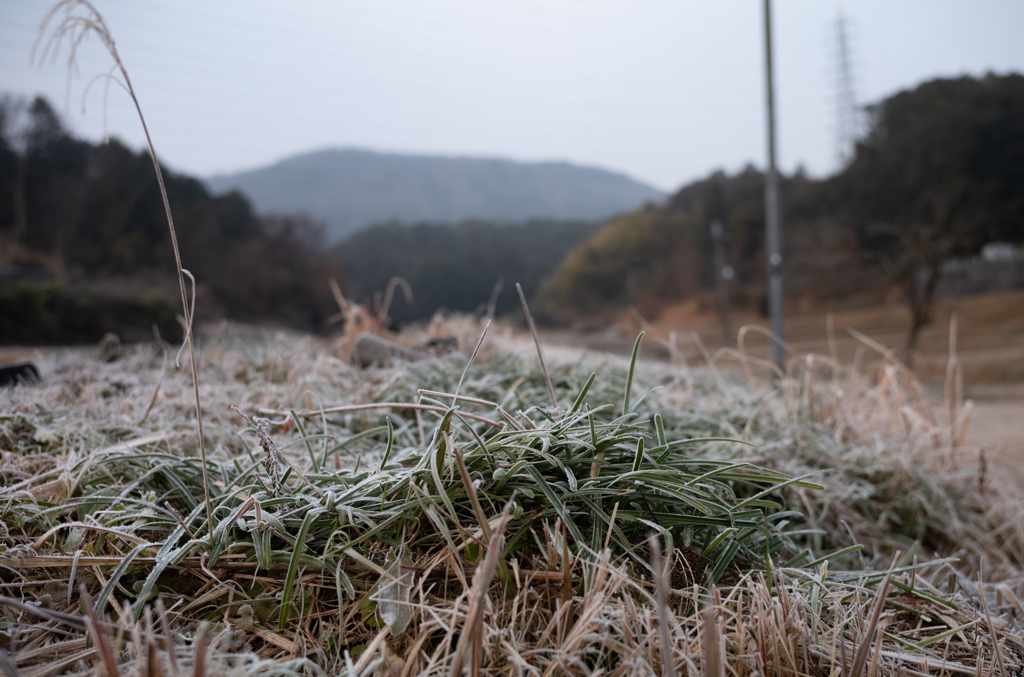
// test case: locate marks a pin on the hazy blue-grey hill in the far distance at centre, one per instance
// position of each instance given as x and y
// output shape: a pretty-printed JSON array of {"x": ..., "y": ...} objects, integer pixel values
[{"x": 349, "y": 190}]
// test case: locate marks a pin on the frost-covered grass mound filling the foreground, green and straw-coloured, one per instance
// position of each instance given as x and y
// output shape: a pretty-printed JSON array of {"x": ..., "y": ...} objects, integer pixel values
[{"x": 831, "y": 527}]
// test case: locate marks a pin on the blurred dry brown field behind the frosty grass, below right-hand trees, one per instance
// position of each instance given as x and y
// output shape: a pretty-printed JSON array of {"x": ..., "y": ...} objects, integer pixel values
[{"x": 990, "y": 349}]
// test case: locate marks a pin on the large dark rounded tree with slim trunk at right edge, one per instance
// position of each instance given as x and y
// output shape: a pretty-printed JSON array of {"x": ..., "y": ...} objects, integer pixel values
[{"x": 940, "y": 175}]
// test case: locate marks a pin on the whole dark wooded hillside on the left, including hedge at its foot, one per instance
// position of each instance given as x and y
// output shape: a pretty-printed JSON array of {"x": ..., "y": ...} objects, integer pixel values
[{"x": 83, "y": 235}]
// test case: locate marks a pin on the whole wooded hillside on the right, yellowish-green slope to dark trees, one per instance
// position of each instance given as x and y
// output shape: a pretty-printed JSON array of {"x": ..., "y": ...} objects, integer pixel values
[{"x": 940, "y": 175}]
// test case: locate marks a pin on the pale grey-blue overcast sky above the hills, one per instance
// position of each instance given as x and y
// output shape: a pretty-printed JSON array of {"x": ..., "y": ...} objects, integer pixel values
[{"x": 663, "y": 91}]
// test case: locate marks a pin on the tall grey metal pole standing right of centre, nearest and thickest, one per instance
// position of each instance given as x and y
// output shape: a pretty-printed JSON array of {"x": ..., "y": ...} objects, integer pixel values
[{"x": 774, "y": 213}]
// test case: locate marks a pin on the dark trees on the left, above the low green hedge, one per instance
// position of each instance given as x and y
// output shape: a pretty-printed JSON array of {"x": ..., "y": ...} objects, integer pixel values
[{"x": 99, "y": 211}]
